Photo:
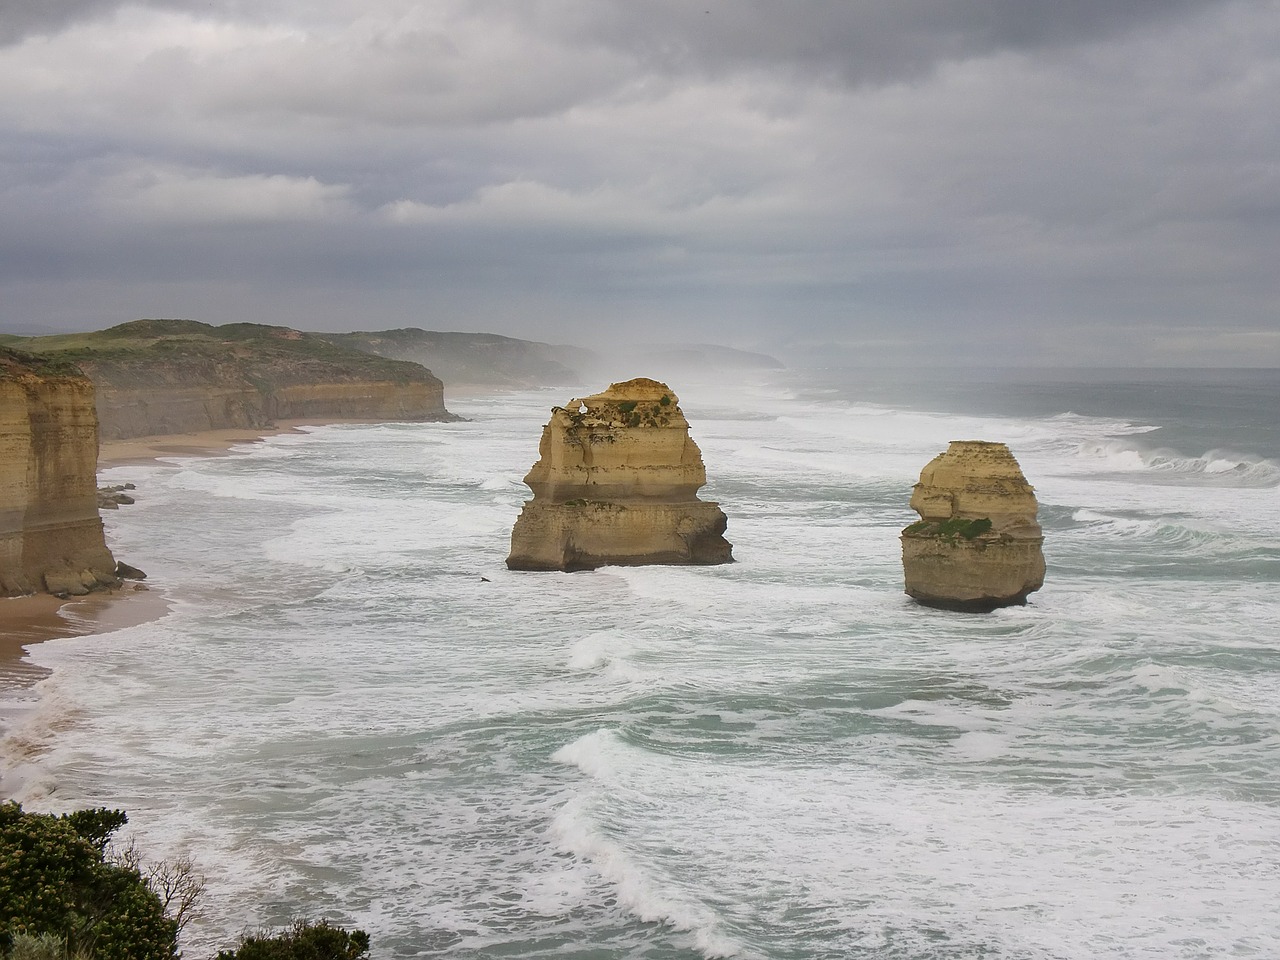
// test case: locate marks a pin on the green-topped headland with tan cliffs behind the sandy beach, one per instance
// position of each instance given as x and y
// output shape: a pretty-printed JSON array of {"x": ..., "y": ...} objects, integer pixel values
[{"x": 173, "y": 377}]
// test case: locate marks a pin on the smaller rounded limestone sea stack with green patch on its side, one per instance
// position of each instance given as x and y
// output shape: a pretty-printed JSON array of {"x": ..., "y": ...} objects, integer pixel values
[{"x": 977, "y": 545}]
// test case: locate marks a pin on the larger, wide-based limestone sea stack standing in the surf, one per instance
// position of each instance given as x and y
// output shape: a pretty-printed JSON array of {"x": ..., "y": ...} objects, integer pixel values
[{"x": 616, "y": 483}]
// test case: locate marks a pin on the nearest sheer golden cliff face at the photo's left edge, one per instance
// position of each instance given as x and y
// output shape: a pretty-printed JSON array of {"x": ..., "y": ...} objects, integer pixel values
[{"x": 51, "y": 532}]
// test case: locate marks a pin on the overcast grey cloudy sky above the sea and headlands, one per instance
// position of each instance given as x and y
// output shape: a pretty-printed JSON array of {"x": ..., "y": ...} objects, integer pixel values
[{"x": 1007, "y": 182}]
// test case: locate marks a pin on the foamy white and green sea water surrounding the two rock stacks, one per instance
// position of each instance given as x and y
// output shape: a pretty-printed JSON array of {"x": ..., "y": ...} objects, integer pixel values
[{"x": 355, "y": 712}]
